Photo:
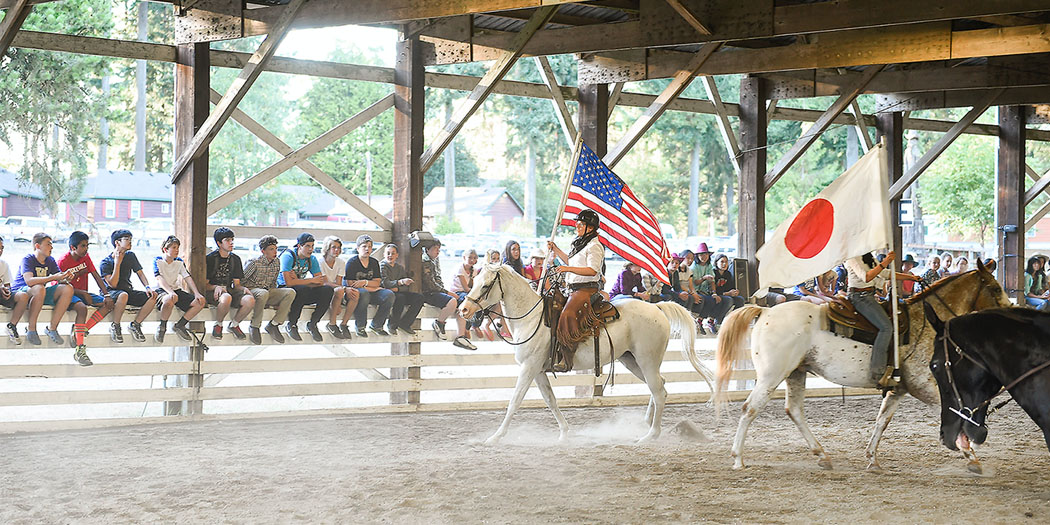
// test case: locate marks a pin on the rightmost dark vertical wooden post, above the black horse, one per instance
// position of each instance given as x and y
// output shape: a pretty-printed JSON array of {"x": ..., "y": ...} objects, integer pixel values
[{"x": 1011, "y": 202}]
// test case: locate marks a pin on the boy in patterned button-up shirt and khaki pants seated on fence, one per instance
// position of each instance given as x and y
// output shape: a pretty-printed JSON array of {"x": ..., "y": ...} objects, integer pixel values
[{"x": 261, "y": 280}]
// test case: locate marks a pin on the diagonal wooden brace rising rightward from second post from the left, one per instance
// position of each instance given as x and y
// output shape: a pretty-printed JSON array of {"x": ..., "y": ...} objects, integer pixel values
[{"x": 486, "y": 87}]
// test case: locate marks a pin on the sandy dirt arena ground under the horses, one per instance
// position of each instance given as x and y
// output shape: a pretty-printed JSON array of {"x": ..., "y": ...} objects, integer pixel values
[{"x": 433, "y": 469}]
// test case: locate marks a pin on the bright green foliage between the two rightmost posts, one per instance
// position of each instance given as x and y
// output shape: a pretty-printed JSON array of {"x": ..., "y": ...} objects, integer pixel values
[{"x": 960, "y": 188}]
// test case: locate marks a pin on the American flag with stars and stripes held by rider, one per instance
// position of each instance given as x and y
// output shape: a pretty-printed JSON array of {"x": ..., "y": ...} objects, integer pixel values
[{"x": 628, "y": 228}]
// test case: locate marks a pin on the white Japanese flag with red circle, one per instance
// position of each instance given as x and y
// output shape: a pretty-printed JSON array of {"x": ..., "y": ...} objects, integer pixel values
[{"x": 850, "y": 218}]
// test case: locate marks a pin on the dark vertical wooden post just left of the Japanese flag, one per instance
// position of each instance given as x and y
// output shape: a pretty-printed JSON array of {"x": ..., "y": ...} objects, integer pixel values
[{"x": 754, "y": 92}]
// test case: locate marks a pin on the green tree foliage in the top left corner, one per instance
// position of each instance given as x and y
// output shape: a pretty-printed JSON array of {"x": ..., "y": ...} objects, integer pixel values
[{"x": 52, "y": 100}]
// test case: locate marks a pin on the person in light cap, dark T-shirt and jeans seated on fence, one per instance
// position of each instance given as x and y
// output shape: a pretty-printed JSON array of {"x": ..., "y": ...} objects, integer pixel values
[{"x": 364, "y": 275}]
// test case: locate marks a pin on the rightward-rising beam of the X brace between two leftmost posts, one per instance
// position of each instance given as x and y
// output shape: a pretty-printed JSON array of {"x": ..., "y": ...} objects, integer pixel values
[{"x": 298, "y": 157}]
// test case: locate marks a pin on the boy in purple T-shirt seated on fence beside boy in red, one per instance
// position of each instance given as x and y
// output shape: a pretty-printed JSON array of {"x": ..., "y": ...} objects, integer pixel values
[{"x": 39, "y": 277}]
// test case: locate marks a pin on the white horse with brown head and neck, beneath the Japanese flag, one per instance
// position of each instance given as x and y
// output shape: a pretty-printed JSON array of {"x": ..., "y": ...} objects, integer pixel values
[{"x": 791, "y": 340}]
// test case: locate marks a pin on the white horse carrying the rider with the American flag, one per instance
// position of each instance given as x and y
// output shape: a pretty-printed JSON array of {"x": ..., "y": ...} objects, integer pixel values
[{"x": 640, "y": 342}]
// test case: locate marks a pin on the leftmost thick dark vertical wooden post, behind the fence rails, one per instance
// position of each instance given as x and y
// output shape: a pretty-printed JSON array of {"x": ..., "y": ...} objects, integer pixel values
[{"x": 193, "y": 78}]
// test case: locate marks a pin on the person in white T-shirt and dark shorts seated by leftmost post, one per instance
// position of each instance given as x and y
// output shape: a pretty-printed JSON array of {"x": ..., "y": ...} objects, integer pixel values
[{"x": 176, "y": 289}]
